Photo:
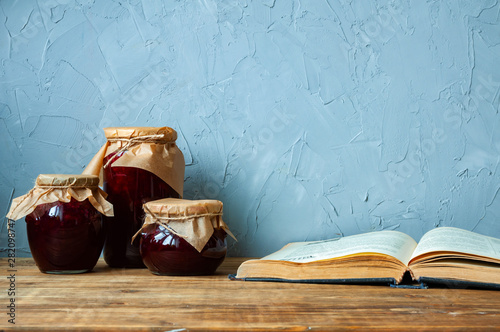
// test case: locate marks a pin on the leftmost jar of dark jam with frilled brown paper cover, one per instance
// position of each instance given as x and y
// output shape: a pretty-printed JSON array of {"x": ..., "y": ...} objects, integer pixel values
[{"x": 64, "y": 222}]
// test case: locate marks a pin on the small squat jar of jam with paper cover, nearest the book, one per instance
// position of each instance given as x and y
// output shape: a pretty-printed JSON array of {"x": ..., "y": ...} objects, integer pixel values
[{"x": 183, "y": 237}]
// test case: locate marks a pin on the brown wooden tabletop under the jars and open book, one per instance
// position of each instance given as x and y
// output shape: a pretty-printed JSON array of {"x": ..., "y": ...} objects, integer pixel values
[{"x": 134, "y": 299}]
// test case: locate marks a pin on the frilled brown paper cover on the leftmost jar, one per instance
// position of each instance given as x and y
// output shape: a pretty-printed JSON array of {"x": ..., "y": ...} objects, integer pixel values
[{"x": 50, "y": 188}]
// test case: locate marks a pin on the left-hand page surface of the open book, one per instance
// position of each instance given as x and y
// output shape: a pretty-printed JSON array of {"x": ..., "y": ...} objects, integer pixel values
[{"x": 393, "y": 243}]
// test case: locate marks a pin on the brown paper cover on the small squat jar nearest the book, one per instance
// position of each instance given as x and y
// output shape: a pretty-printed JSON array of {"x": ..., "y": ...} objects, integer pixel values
[{"x": 193, "y": 220}]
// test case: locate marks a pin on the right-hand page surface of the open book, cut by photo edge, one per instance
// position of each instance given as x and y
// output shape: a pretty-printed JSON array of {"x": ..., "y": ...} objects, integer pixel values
[{"x": 458, "y": 240}]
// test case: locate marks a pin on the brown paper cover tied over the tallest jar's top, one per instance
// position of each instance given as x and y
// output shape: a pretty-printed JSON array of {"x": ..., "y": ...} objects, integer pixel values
[{"x": 149, "y": 148}]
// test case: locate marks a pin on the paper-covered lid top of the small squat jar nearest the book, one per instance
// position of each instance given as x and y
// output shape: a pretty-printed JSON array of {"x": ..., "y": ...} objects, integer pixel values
[{"x": 176, "y": 207}]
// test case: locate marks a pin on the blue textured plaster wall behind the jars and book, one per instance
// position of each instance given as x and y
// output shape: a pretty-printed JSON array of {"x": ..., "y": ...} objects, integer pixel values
[{"x": 308, "y": 119}]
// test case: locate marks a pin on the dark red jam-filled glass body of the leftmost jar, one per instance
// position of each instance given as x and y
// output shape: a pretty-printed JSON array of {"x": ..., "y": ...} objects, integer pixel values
[{"x": 65, "y": 237}]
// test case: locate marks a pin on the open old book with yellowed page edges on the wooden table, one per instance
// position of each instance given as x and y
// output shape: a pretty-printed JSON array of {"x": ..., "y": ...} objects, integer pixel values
[{"x": 444, "y": 255}]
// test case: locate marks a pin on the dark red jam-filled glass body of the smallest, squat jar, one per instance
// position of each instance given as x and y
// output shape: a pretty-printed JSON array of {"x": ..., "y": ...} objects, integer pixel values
[{"x": 165, "y": 253}]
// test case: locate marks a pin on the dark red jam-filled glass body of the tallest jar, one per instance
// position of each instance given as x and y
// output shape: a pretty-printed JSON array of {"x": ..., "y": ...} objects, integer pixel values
[{"x": 128, "y": 188}]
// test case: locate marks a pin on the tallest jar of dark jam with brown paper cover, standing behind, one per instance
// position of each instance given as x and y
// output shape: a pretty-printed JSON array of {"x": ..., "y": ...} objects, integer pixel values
[{"x": 139, "y": 164}]
